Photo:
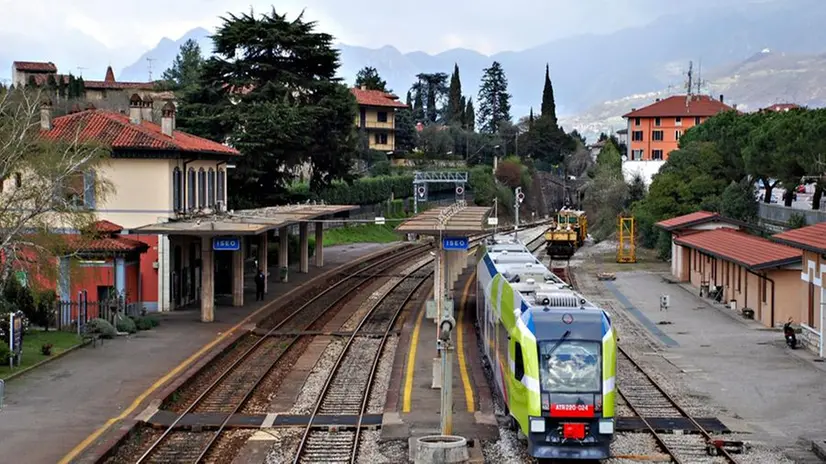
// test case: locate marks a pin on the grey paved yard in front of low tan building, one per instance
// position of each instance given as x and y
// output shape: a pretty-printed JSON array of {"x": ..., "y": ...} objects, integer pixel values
[{"x": 736, "y": 363}]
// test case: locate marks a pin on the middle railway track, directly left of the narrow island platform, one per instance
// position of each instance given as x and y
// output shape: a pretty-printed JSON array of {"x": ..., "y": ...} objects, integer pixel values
[{"x": 347, "y": 389}]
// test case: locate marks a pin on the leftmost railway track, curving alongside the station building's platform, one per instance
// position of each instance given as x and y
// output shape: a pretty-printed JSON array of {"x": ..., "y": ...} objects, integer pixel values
[{"x": 229, "y": 392}]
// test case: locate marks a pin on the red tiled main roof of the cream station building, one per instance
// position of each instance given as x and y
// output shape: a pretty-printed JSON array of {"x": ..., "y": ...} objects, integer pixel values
[{"x": 116, "y": 131}]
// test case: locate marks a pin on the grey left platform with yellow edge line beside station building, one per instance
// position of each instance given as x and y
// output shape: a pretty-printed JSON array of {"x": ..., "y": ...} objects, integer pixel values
[{"x": 51, "y": 410}]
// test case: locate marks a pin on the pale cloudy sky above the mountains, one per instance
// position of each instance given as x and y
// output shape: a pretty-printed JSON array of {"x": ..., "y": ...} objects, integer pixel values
[{"x": 430, "y": 25}]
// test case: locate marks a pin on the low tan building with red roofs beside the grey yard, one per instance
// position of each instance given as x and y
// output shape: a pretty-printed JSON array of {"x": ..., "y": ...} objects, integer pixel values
[{"x": 743, "y": 271}]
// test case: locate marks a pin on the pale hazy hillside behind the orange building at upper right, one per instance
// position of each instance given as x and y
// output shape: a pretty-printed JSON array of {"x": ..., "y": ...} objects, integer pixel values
[{"x": 759, "y": 81}]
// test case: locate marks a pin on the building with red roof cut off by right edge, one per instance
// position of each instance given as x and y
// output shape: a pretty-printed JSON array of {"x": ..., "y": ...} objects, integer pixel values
[{"x": 811, "y": 240}]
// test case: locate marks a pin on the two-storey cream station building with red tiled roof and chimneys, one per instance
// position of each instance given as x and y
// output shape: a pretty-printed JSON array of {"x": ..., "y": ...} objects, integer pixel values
[{"x": 159, "y": 173}]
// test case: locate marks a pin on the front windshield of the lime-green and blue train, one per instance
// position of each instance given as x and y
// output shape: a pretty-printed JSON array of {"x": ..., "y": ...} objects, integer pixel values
[{"x": 570, "y": 366}]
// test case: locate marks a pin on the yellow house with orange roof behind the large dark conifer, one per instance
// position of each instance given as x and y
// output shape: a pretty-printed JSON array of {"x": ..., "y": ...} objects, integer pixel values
[{"x": 377, "y": 117}]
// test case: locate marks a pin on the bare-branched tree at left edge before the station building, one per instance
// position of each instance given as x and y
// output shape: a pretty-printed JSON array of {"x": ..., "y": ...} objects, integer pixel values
[{"x": 46, "y": 180}]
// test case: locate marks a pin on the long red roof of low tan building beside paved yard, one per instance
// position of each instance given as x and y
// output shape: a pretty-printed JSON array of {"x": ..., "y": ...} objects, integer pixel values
[{"x": 741, "y": 248}]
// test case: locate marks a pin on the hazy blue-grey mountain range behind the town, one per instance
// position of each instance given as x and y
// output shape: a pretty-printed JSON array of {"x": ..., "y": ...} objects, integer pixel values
[{"x": 589, "y": 72}]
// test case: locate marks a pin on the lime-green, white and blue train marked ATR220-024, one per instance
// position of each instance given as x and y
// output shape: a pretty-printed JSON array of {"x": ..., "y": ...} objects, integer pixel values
[{"x": 552, "y": 353}]
